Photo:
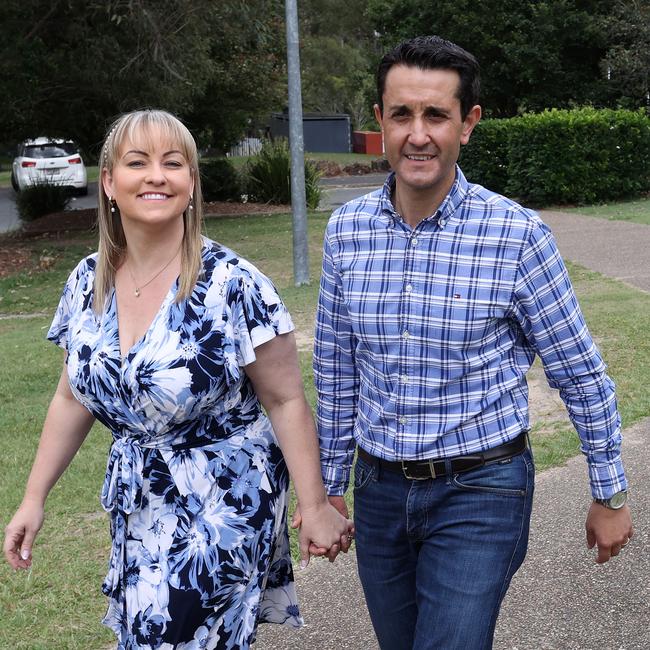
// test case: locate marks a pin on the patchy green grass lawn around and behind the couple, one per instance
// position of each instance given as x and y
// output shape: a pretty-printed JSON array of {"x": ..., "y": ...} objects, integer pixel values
[{"x": 58, "y": 604}]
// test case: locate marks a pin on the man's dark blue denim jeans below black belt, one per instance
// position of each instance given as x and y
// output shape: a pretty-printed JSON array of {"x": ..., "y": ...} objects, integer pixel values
[{"x": 436, "y": 556}]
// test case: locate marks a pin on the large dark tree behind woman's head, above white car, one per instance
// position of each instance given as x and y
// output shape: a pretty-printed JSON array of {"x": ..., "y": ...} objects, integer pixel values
[{"x": 68, "y": 67}]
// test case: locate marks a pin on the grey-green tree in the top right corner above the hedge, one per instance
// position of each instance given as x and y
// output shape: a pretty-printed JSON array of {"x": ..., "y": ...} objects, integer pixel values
[{"x": 627, "y": 63}]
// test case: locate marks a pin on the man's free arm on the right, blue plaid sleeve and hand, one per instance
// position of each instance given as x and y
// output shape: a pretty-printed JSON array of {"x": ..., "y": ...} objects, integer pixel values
[{"x": 547, "y": 310}]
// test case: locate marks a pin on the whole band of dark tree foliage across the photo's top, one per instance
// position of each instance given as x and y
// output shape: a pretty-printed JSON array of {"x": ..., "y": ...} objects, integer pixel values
[{"x": 68, "y": 67}]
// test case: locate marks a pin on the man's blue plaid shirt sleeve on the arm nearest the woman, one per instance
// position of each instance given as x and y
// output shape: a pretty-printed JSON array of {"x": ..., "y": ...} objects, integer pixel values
[{"x": 336, "y": 378}]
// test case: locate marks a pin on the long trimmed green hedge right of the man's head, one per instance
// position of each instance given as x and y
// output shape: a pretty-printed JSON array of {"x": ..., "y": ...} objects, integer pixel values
[{"x": 560, "y": 156}]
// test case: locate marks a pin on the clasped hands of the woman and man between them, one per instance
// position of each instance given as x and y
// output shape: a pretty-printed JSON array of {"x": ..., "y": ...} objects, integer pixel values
[{"x": 325, "y": 530}]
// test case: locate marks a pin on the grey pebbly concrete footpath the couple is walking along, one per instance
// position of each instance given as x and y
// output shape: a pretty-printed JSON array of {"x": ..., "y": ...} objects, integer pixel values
[{"x": 560, "y": 599}]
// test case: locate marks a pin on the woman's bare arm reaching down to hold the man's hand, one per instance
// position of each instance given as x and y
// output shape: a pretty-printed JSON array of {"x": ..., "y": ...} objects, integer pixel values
[{"x": 278, "y": 384}]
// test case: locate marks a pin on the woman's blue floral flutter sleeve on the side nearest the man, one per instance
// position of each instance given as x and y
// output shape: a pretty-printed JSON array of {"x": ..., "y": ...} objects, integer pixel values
[{"x": 257, "y": 311}]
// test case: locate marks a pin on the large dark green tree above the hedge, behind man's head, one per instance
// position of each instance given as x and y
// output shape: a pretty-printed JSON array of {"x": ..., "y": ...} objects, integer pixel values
[{"x": 533, "y": 55}]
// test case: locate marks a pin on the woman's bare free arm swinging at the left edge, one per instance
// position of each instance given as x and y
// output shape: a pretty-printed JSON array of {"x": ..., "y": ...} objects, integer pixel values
[{"x": 66, "y": 426}]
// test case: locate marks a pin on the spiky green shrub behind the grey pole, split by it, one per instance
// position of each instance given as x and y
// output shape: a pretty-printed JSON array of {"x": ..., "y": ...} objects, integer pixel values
[{"x": 269, "y": 176}]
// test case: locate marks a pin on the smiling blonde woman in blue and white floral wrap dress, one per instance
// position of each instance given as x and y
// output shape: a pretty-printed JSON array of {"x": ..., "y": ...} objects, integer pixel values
[{"x": 175, "y": 344}]
